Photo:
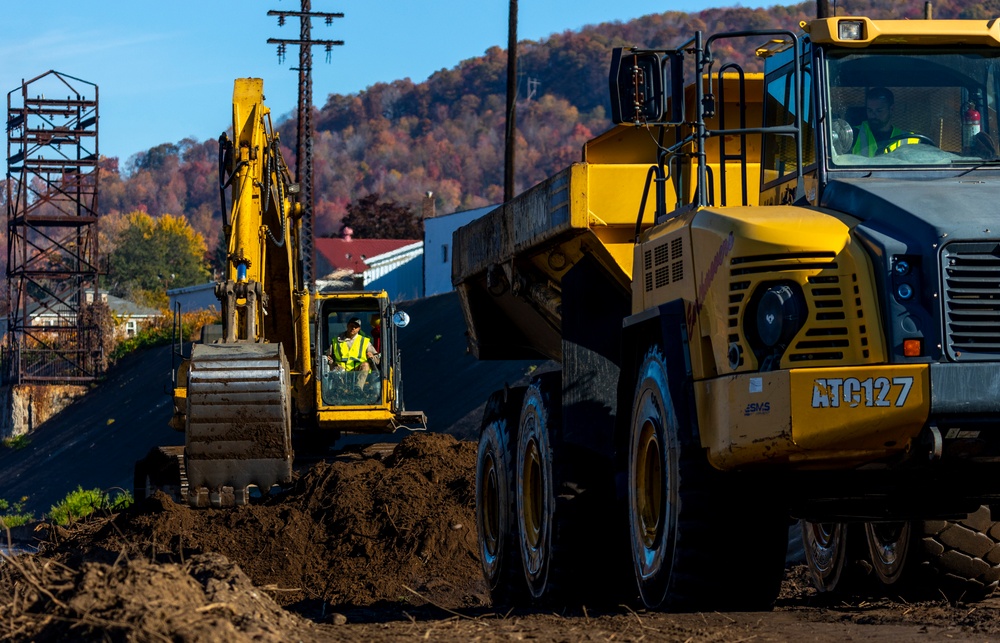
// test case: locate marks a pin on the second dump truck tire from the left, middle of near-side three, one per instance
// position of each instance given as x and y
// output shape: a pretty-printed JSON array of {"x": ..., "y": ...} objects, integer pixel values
[{"x": 542, "y": 530}]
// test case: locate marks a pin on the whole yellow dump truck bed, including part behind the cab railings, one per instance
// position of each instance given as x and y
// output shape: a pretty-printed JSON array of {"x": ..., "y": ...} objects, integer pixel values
[{"x": 509, "y": 266}]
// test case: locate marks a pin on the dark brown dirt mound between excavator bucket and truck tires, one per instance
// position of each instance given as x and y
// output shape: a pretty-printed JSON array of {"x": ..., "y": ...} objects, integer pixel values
[{"x": 350, "y": 533}]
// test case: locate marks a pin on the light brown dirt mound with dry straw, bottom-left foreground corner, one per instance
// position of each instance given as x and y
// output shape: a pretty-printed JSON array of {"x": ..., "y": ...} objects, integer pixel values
[{"x": 205, "y": 599}]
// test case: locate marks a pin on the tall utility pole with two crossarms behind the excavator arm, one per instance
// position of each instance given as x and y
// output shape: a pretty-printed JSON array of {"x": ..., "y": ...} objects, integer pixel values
[{"x": 304, "y": 136}]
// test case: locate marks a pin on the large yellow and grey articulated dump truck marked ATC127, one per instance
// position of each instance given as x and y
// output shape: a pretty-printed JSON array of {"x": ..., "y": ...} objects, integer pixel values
[{"x": 772, "y": 297}]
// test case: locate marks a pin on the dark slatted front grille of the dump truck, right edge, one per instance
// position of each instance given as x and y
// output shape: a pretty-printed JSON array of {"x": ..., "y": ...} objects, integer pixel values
[{"x": 971, "y": 285}]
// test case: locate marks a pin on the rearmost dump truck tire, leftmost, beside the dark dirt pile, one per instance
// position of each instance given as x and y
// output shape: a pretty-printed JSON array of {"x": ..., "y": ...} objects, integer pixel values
[{"x": 499, "y": 551}]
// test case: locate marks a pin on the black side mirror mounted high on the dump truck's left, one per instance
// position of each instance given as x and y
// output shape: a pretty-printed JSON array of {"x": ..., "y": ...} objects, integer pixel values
[{"x": 636, "y": 84}]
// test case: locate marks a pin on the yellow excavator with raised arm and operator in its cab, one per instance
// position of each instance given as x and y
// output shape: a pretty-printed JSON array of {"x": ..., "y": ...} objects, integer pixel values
[{"x": 271, "y": 370}]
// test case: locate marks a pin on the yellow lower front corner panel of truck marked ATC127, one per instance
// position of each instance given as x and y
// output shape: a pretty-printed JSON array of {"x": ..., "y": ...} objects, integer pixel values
[{"x": 813, "y": 417}]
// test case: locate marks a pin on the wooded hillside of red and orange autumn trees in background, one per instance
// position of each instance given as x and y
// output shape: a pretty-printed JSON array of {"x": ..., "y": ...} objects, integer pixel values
[{"x": 445, "y": 134}]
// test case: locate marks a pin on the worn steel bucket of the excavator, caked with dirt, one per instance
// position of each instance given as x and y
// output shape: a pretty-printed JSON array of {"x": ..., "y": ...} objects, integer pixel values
[{"x": 238, "y": 429}]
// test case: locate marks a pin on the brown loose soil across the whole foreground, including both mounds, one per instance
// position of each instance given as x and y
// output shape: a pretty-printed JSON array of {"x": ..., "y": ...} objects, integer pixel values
[{"x": 372, "y": 546}]
